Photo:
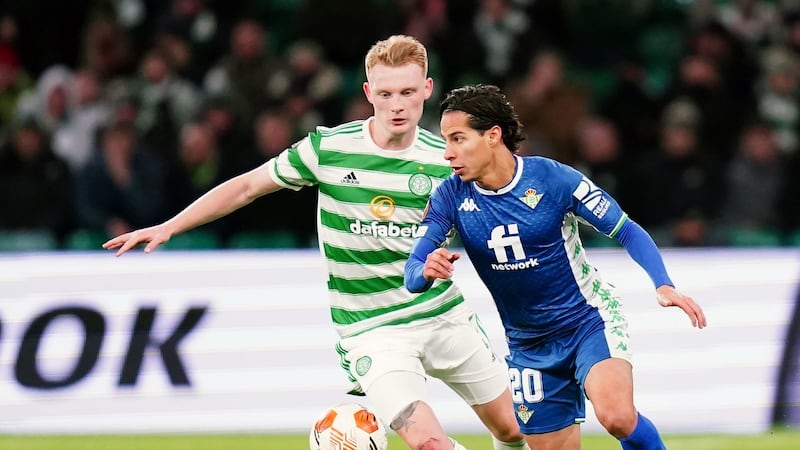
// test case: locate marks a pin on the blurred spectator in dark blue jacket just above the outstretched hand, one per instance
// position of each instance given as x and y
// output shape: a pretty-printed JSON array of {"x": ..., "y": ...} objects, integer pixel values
[{"x": 123, "y": 186}]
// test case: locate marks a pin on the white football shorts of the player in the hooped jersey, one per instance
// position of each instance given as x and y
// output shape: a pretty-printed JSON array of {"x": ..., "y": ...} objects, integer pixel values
[{"x": 451, "y": 347}]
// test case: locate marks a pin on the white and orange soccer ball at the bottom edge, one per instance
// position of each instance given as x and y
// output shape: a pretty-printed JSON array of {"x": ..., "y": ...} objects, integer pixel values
[{"x": 348, "y": 426}]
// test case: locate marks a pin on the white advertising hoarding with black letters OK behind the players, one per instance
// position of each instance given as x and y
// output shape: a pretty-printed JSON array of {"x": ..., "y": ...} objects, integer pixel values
[{"x": 241, "y": 341}]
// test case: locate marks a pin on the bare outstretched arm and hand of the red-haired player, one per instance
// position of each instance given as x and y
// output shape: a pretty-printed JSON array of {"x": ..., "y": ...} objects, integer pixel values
[{"x": 218, "y": 202}]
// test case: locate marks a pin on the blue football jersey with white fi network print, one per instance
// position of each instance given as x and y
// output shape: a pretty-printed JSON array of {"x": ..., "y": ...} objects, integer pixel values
[{"x": 524, "y": 243}]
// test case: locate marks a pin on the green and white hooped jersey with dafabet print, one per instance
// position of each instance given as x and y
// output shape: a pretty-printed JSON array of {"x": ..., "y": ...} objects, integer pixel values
[{"x": 370, "y": 202}]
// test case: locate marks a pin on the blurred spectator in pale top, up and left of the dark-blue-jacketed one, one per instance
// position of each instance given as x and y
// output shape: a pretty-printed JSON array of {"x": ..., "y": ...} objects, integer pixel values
[{"x": 74, "y": 141}]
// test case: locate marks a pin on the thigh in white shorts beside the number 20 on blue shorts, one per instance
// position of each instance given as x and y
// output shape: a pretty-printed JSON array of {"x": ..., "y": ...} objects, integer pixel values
[{"x": 460, "y": 355}]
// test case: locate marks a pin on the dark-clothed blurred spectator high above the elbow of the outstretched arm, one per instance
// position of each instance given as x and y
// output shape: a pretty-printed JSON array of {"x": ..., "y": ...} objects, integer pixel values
[{"x": 243, "y": 75}]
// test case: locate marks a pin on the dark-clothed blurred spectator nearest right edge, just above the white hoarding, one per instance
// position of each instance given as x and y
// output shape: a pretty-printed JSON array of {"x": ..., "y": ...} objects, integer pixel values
[{"x": 752, "y": 180}]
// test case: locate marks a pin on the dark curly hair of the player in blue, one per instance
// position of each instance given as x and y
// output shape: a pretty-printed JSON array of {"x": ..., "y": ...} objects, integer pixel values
[{"x": 486, "y": 106}]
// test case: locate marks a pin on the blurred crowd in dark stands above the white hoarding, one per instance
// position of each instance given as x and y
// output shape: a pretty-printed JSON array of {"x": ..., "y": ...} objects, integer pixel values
[{"x": 115, "y": 114}]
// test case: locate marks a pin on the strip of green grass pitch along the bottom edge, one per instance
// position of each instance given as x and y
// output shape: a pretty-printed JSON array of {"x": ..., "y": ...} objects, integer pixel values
[{"x": 775, "y": 440}]
